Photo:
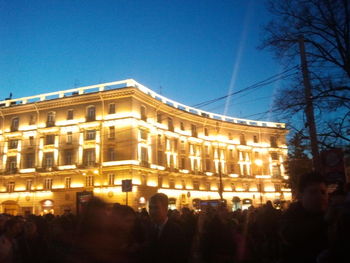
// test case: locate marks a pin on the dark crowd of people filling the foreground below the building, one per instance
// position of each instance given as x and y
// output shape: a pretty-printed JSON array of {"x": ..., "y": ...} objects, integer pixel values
[{"x": 315, "y": 228}]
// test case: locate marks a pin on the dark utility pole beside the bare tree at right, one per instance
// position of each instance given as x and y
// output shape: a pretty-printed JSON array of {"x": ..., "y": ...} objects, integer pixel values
[{"x": 309, "y": 109}]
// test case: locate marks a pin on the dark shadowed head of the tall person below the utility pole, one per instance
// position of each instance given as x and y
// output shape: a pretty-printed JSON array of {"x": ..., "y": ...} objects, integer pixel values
[{"x": 312, "y": 192}]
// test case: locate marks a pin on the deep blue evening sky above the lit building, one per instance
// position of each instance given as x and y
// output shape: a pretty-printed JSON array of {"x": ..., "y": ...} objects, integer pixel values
[{"x": 193, "y": 49}]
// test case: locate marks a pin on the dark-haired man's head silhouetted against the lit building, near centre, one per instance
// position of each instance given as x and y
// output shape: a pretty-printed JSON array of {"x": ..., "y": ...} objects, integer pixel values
[{"x": 158, "y": 208}]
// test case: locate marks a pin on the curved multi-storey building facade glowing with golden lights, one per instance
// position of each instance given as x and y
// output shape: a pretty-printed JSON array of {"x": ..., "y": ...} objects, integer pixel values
[{"x": 58, "y": 149}]
